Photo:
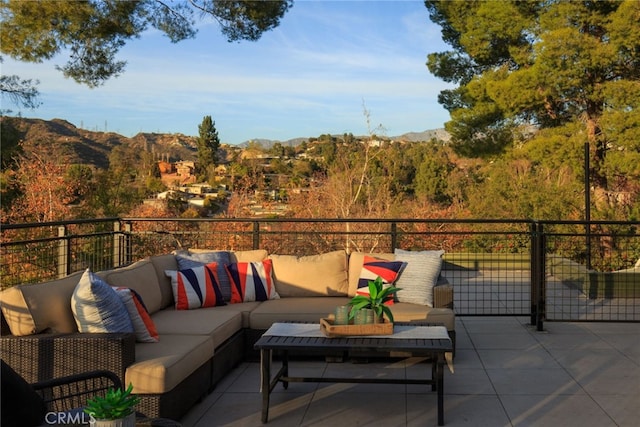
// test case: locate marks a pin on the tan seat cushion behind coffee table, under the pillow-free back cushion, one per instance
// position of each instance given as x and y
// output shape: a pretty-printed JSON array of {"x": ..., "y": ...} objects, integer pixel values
[{"x": 309, "y": 309}]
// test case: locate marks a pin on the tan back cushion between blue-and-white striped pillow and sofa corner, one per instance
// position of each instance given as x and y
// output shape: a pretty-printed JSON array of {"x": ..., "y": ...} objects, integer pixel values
[{"x": 141, "y": 277}]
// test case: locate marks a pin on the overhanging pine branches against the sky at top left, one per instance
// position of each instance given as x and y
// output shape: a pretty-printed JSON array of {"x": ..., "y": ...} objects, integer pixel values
[{"x": 94, "y": 31}]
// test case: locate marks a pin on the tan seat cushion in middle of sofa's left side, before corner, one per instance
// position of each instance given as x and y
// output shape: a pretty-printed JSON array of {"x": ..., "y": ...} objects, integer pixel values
[{"x": 220, "y": 325}]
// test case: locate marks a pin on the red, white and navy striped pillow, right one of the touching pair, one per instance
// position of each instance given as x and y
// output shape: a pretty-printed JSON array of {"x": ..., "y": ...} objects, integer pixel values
[{"x": 252, "y": 281}]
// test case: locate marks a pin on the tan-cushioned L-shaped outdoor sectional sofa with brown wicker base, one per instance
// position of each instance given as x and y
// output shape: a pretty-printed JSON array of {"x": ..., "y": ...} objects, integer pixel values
[{"x": 195, "y": 347}]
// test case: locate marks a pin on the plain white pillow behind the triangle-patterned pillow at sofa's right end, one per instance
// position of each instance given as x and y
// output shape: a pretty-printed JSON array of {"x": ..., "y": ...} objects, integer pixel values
[{"x": 420, "y": 275}]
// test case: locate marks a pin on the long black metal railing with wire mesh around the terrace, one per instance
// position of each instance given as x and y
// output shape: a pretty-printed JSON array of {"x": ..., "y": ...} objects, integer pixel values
[{"x": 562, "y": 270}]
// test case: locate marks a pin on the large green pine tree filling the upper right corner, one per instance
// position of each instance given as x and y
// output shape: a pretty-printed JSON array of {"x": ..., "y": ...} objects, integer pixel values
[{"x": 526, "y": 66}]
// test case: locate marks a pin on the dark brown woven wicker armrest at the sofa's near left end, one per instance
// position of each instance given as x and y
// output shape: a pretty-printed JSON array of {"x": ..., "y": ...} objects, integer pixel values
[{"x": 44, "y": 356}]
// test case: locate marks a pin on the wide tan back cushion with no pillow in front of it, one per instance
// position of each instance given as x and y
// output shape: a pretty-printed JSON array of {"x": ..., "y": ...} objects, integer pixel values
[{"x": 314, "y": 275}]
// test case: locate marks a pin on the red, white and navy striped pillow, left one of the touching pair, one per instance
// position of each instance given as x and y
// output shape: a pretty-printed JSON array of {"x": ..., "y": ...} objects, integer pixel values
[{"x": 196, "y": 287}]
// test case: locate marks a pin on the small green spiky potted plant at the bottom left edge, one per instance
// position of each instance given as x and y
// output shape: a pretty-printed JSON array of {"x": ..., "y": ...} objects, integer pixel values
[{"x": 115, "y": 409}]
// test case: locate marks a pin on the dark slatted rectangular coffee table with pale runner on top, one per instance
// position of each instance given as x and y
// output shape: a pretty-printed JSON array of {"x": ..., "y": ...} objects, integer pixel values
[{"x": 415, "y": 339}]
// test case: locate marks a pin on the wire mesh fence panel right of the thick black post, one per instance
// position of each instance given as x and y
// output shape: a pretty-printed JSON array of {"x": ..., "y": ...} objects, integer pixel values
[{"x": 592, "y": 276}]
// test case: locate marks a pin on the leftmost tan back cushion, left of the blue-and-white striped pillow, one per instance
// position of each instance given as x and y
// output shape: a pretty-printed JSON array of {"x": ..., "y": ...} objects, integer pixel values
[{"x": 34, "y": 308}]
